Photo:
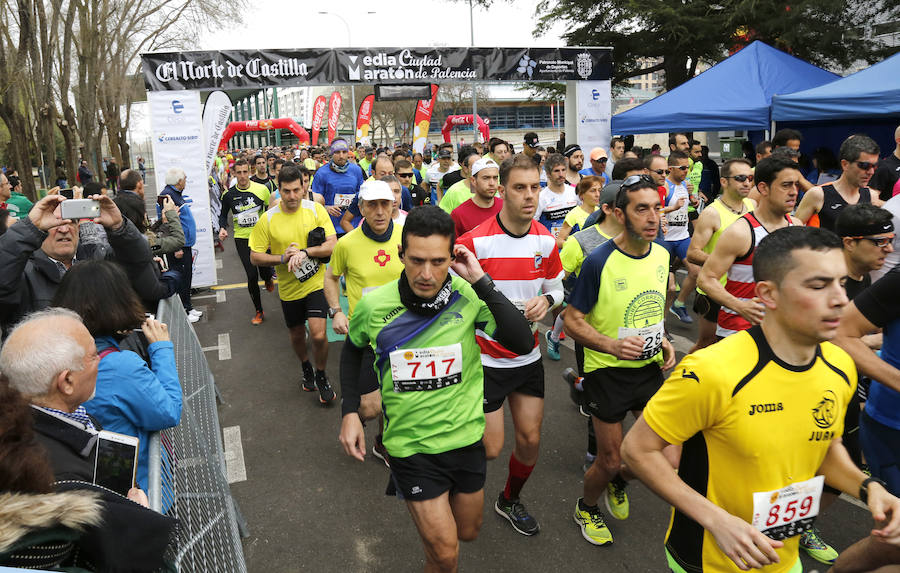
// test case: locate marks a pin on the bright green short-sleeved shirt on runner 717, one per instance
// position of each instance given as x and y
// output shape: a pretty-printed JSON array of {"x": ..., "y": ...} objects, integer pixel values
[{"x": 429, "y": 368}]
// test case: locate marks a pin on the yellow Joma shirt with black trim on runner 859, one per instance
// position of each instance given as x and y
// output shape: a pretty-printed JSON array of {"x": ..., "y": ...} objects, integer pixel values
[{"x": 749, "y": 423}]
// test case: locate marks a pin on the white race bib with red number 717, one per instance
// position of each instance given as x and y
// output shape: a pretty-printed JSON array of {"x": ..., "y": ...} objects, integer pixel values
[{"x": 422, "y": 369}]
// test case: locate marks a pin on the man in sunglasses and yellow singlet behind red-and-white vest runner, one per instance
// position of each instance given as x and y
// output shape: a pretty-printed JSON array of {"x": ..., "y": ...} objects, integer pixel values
[{"x": 737, "y": 181}]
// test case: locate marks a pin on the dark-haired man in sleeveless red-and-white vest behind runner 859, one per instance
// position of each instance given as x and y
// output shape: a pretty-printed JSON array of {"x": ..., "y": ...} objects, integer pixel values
[{"x": 777, "y": 181}]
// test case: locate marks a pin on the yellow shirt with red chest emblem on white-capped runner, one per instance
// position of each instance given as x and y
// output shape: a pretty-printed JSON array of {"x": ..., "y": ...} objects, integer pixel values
[{"x": 366, "y": 263}]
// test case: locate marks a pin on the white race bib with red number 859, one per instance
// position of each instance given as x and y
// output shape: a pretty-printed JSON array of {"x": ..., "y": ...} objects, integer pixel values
[{"x": 788, "y": 511}]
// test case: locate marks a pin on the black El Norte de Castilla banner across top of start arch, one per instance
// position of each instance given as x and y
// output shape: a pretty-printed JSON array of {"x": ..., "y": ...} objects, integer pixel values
[{"x": 209, "y": 70}]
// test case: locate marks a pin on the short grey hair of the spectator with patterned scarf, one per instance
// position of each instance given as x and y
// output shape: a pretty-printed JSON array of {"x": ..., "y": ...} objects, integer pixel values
[{"x": 31, "y": 365}]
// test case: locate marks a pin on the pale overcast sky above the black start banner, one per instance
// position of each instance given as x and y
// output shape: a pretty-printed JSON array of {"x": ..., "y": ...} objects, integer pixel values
[{"x": 397, "y": 23}]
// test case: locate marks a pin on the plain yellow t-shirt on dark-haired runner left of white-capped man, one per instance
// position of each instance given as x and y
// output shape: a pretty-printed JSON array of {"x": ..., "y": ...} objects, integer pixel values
[{"x": 276, "y": 230}]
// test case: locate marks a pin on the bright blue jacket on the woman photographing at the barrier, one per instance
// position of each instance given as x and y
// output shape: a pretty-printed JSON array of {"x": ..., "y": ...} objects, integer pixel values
[{"x": 134, "y": 399}]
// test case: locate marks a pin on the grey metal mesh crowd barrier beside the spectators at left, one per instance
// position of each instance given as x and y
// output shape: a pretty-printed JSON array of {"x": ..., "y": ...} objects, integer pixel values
[{"x": 187, "y": 464}]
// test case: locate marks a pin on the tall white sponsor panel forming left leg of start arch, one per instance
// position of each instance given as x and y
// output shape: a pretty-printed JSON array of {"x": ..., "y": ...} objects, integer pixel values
[{"x": 177, "y": 125}]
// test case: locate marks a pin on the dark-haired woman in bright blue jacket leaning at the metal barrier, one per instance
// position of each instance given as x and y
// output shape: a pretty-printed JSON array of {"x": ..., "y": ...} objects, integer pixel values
[{"x": 132, "y": 397}]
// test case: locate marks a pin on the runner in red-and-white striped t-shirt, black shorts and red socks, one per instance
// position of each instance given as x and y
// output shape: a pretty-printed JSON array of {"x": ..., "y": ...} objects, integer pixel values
[{"x": 520, "y": 255}]
